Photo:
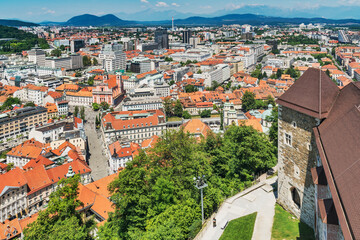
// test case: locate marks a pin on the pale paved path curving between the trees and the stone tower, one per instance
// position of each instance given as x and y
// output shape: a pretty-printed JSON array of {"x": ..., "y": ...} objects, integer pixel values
[{"x": 259, "y": 201}]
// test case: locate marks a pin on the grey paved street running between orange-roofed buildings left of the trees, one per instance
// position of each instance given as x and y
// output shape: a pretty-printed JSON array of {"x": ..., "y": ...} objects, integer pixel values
[{"x": 97, "y": 159}]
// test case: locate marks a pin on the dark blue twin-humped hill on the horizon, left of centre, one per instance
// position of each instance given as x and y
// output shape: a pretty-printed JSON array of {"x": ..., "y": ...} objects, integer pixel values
[{"x": 92, "y": 20}]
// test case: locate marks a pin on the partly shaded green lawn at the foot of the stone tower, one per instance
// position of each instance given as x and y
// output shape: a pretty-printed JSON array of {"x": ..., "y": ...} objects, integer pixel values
[{"x": 287, "y": 227}]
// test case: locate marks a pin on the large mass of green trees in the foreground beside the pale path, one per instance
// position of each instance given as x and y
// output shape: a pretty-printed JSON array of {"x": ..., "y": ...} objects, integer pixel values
[{"x": 155, "y": 197}]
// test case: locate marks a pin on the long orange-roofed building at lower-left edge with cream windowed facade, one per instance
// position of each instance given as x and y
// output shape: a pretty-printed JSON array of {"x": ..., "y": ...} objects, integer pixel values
[{"x": 28, "y": 191}]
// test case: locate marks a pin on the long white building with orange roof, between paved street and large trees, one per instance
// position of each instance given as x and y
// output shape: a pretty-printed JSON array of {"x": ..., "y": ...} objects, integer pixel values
[{"x": 134, "y": 125}]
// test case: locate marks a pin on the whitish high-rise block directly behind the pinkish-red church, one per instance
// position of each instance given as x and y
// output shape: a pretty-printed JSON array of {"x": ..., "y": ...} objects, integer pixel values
[{"x": 113, "y": 57}]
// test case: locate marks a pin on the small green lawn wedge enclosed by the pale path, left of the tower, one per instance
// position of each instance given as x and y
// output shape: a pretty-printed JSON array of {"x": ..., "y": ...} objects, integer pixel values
[{"x": 240, "y": 228}]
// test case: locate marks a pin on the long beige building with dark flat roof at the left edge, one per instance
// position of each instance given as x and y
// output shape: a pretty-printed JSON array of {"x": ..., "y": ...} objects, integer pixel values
[{"x": 20, "y": 121}]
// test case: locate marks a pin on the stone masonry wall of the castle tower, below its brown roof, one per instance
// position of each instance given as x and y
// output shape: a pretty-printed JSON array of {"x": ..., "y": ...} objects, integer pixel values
[{"x": 295, "y": 163}]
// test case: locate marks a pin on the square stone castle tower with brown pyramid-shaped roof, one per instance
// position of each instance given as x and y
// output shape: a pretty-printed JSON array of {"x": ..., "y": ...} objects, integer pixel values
[{"x": 301, "y": 108}]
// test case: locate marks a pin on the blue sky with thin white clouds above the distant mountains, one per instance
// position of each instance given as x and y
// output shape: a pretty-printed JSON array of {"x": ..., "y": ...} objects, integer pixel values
[{"x": 62, "y": 10}]
